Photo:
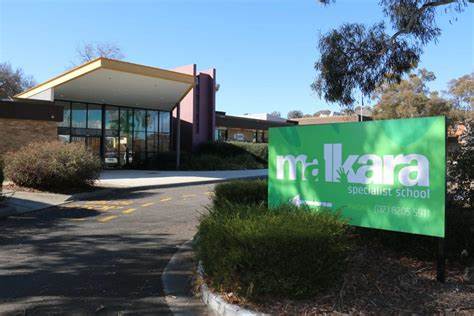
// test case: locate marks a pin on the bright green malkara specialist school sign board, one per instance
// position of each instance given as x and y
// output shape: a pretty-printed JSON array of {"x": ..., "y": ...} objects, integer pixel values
[{"x": 380, "y": 174}]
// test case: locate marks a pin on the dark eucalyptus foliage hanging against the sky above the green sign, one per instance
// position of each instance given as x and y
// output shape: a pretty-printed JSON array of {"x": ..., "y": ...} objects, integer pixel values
[{"x": 357, "y": 58}]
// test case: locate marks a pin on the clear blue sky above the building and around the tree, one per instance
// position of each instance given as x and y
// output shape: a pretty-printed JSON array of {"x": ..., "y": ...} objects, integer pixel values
[{"x": 263, "y": 50}]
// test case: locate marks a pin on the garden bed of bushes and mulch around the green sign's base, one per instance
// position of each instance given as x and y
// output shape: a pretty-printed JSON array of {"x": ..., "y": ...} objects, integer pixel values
[{"x": 384, "y": 272}]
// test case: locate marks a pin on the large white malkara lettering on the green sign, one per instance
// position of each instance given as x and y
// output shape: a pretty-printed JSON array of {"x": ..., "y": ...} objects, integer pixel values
[{"x": 373, "y": 169}]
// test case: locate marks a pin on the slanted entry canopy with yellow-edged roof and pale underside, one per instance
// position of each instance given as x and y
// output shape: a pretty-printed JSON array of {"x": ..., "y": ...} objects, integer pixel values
[{"x": 114, "y": 82}]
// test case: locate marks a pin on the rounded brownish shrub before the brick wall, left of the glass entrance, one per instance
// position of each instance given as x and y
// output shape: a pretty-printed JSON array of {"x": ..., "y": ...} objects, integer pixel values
[{"x": 53, "y": 166}]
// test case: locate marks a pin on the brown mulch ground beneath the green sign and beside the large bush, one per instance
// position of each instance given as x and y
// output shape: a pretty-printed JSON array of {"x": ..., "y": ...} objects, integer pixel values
[{"x": 381, "y": 281}]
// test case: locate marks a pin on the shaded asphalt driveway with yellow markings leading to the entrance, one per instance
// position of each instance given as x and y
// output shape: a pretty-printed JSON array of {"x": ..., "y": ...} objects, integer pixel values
[{"x": 96, "y": 257}]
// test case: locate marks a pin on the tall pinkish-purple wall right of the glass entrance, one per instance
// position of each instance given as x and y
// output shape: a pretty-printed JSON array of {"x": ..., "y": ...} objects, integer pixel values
[{"x": 198, "y": 109}]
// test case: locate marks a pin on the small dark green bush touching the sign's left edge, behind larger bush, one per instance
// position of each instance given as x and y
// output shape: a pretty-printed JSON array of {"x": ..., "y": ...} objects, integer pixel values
[{"x": 248, "y": 192}]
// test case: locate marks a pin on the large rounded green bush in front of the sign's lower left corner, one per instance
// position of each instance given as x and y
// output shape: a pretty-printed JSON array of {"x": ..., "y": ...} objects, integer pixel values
[{"x": 285, "y": 252}]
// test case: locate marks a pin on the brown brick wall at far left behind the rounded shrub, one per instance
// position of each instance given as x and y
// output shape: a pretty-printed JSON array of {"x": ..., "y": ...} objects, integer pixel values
[{"x": 16, "y": 133}]
